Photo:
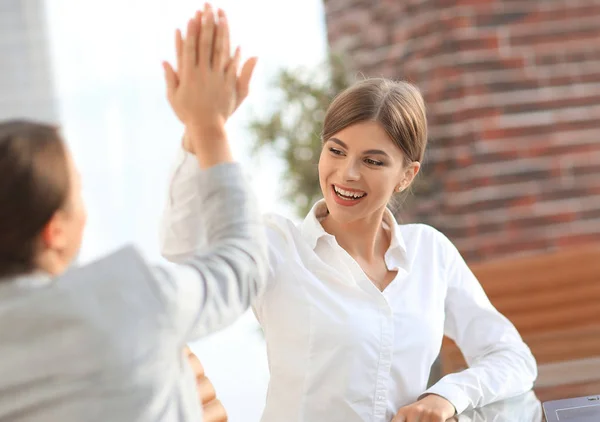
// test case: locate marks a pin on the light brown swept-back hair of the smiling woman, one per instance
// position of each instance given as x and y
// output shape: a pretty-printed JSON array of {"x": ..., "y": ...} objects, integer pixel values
[{"x": 397, "y": 106}]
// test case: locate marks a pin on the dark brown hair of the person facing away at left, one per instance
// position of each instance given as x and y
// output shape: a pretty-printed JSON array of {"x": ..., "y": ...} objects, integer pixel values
[{"x": 34, "y": 184}]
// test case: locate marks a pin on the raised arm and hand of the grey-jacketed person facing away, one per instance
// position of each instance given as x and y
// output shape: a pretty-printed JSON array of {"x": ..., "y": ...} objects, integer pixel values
[{"x": 217, "y": 284}]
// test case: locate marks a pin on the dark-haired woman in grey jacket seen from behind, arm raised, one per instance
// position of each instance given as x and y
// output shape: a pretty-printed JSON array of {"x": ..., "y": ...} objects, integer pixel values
[{"x": 104, "y": 342}]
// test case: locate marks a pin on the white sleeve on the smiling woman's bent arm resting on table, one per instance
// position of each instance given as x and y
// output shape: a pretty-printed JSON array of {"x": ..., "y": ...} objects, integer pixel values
[{"x": 500, "y": 363}]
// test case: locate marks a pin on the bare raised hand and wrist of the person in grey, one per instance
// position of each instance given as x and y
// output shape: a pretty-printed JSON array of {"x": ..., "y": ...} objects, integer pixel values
[{"x": 203, "y": 92}]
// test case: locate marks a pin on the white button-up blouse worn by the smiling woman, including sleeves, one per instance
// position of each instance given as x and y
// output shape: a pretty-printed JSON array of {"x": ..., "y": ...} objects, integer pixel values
[{"x": 339, "y": 349}]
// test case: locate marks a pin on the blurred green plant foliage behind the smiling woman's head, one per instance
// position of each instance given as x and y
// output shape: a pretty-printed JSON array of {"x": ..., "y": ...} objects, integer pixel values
[{"x": 293, "y": 128}]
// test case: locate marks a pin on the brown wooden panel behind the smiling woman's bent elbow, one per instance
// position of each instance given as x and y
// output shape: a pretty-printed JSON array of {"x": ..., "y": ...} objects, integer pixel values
[{"x": 553, "y": 299}]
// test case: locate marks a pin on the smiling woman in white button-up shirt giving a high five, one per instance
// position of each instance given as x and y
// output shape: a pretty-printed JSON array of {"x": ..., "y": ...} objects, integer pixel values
[{"x": 356, "y": 305}]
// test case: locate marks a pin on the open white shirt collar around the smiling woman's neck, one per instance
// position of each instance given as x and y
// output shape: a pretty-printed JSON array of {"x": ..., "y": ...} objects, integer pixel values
[{"x": 396, "y": 256}]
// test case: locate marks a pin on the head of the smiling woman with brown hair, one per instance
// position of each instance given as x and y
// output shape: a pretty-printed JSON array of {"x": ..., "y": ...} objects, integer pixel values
[{"x": 374, "y": 136}]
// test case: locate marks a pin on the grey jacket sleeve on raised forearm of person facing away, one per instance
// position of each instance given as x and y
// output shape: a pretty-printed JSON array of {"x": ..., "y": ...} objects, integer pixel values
[{"x": 234, "y": 266}]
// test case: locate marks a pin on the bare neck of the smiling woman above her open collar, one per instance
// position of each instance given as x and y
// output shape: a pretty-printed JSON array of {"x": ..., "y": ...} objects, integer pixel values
[{"x": 363, "y": 238}]
